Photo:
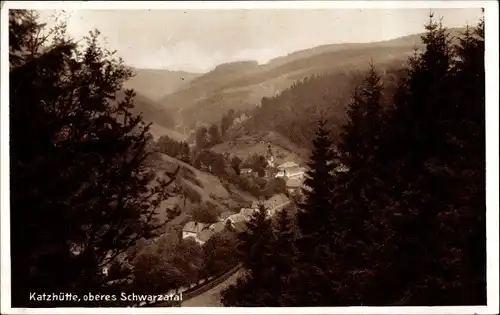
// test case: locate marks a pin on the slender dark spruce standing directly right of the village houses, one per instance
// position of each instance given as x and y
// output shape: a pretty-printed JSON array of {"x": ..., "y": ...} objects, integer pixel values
[{"x": 313, "y": 283}]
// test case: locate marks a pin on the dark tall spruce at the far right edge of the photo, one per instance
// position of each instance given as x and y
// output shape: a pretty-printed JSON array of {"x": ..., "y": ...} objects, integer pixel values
[{"x": 462, "y": 170}]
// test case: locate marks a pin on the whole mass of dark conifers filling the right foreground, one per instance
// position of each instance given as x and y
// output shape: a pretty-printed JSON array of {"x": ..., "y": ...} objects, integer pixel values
[{"x": 406, "y": 224}]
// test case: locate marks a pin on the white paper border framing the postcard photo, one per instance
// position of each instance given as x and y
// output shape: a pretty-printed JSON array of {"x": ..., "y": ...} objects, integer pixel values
[{"x": 492, "y": 179}]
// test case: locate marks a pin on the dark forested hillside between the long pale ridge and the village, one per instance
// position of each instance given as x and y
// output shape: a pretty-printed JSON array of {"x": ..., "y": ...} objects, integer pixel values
[{"x": 294, "y": 112}]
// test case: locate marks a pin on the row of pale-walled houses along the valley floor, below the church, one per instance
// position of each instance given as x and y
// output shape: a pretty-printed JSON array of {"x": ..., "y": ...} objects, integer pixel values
[{"x": 202, "y": 232}]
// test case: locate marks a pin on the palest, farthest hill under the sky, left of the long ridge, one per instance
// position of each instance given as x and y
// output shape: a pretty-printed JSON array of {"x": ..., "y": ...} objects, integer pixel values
[{"x": 156, "y": 83}]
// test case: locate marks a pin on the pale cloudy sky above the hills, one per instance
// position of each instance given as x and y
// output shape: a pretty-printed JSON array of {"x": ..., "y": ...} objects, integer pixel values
[{"x": 199, "y": 40}]
